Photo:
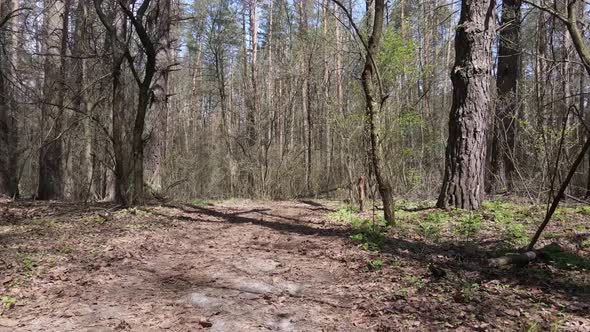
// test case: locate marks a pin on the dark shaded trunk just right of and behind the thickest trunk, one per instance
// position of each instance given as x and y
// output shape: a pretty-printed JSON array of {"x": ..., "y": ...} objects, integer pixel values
[{"x": 502, "y": 166}]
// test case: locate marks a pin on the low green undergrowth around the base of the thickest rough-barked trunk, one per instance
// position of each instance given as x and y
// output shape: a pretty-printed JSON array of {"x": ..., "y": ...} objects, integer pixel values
[{"x": 512, "y": 224}]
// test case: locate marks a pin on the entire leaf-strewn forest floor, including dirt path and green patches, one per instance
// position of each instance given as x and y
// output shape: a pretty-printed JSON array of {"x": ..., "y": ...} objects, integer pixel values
[{"x": 286, "y": 266}]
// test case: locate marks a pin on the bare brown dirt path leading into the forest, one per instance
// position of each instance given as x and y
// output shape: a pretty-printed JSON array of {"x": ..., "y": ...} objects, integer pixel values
[{"x": 218, "y": 268}]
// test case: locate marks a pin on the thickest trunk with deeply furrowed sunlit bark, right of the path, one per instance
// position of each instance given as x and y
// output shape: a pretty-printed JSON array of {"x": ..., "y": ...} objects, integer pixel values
[{"x": 463, "y": 183}]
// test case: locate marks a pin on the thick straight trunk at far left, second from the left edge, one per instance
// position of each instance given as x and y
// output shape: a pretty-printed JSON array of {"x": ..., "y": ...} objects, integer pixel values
[{"x": 51, "y": 181}]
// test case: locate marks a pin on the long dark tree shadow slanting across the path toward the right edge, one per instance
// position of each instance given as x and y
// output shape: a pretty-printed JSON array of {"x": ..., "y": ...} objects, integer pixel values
[{"x": 466, "y": 258}]
